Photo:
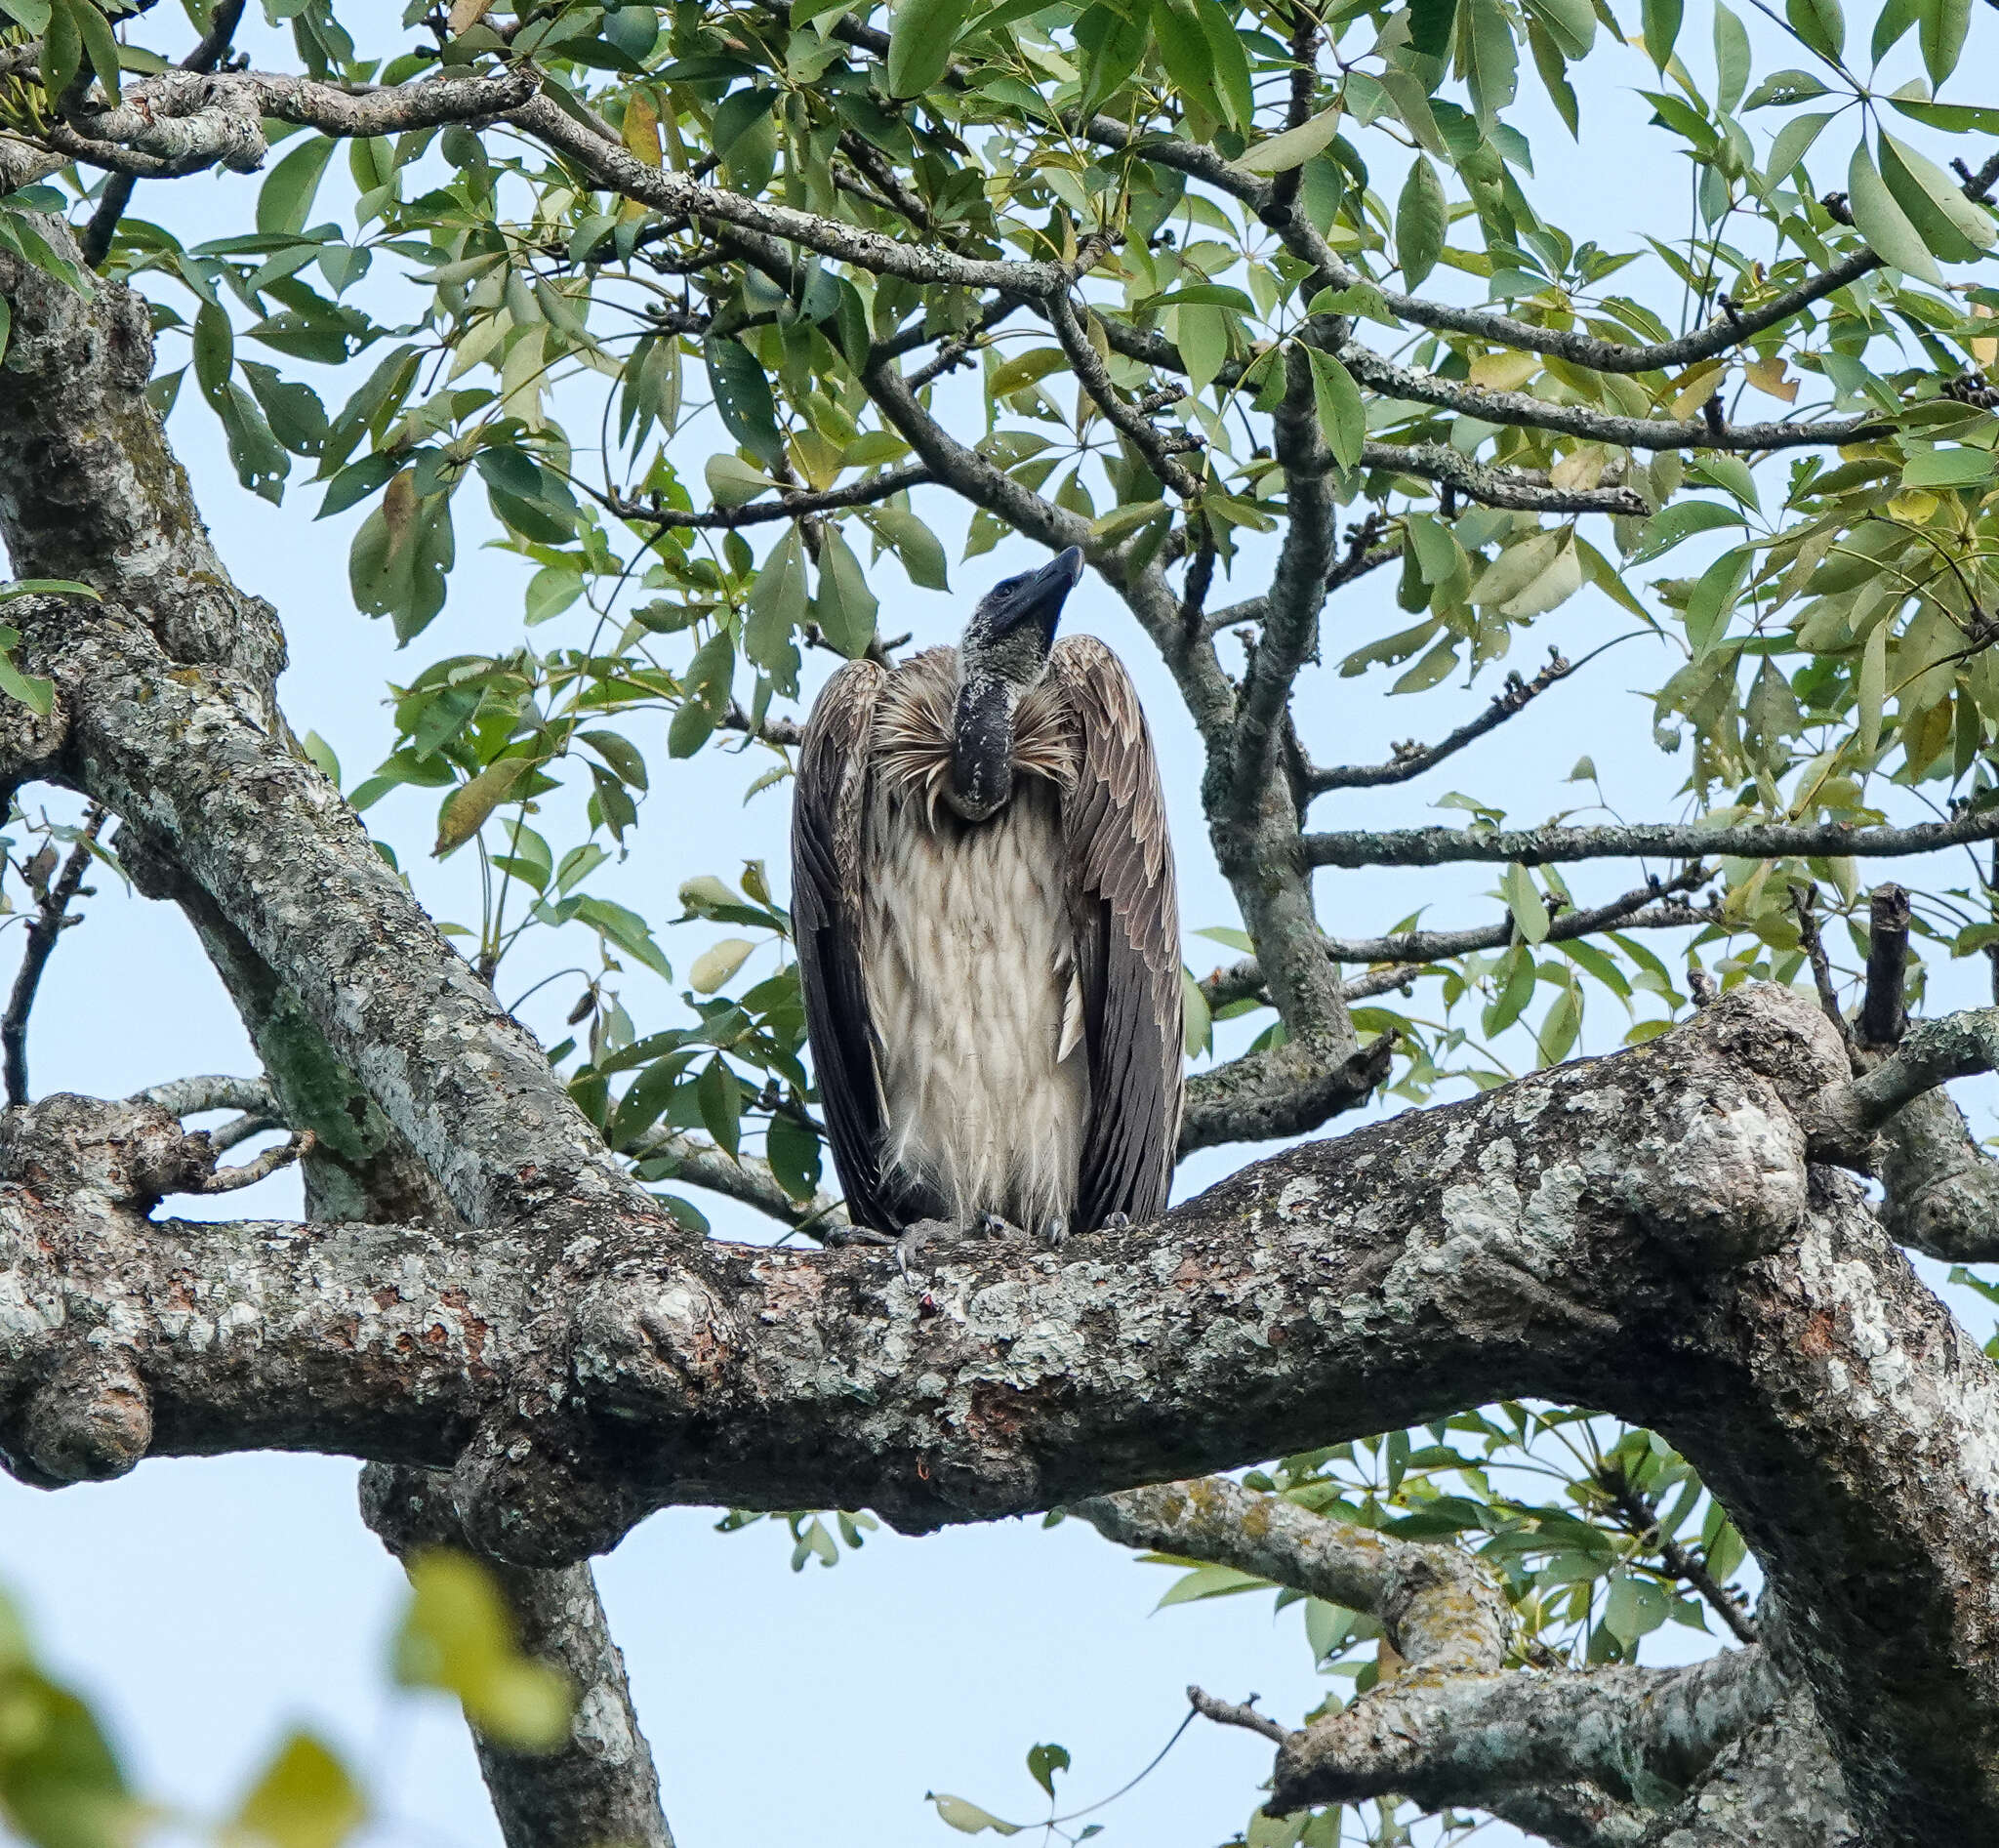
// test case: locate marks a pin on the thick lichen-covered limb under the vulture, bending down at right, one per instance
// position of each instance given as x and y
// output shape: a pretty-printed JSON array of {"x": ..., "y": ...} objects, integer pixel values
[{"x": 1638, "y": 1233}]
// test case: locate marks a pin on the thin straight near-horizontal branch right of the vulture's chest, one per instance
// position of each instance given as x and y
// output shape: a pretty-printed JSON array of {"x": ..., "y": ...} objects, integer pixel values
[{"x": 1670, "y": 841}]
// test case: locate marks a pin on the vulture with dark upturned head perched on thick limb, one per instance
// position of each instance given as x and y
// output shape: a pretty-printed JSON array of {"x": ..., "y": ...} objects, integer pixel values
[{"x": 983, "y": 893}]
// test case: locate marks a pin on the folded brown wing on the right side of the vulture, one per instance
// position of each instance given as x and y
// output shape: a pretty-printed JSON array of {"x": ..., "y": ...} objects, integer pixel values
[{"x": 1126, "y": 917}]
